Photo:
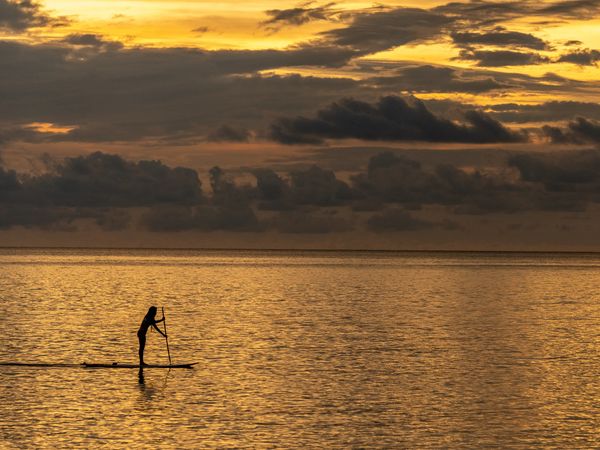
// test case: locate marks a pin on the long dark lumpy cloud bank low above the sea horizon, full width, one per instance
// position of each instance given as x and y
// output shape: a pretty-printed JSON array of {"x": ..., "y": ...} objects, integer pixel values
[{"x": 388, "y": 196}]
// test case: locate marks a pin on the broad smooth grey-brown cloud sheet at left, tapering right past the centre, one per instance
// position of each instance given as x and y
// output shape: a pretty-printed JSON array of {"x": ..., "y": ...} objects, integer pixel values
[{"x": 130, "y": 100}]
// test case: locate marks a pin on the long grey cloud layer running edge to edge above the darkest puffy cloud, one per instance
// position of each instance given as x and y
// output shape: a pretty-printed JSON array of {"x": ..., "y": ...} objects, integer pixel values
[{"x": 130, "y": 100}]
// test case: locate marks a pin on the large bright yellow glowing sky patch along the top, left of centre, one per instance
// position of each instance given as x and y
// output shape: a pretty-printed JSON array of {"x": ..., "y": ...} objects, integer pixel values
[{"x": 225, "y": 25}]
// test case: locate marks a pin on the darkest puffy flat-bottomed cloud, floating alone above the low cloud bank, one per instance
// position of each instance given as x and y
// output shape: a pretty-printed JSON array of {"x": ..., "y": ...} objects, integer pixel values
[{"x": 391, "y": 119}]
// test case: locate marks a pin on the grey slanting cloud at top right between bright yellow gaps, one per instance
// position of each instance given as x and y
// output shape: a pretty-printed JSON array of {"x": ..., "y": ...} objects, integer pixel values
[{"x": 384, "y": 28}]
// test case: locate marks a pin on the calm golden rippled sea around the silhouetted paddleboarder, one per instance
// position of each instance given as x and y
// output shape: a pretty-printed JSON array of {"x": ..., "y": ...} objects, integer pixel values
[{"x": 302, "y": 350}]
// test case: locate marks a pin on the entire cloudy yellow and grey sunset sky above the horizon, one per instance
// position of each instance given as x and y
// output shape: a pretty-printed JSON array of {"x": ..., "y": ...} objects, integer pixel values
[{"x": 466, "y": 125}]
